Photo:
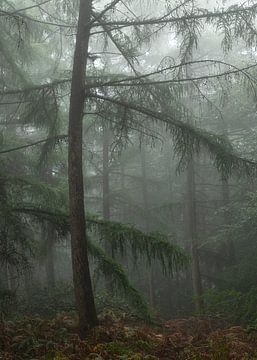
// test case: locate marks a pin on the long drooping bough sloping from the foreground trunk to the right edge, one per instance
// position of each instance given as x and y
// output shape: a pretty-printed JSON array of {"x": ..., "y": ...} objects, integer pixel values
[{"x": 189, "y": 139}]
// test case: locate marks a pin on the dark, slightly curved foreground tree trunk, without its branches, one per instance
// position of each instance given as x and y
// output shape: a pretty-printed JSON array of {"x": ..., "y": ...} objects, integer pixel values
[{"x": 81, "y": 273}]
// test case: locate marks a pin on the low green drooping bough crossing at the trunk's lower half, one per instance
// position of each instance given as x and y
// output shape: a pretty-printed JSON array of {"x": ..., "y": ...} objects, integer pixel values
[{"x": 152, "y": 247}]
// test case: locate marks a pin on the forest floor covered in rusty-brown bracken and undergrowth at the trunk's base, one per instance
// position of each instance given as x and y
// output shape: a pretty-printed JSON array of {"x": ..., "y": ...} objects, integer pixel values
[{"x": 185, "y": 339}]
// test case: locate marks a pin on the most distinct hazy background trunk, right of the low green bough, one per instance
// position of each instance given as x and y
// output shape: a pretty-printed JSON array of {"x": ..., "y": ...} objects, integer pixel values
[{"x": 193, "y": 236}]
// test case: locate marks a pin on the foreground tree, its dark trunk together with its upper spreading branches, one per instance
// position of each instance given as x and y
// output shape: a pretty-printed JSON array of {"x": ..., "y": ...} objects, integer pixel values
[{"x": 152, "y": 98}]
